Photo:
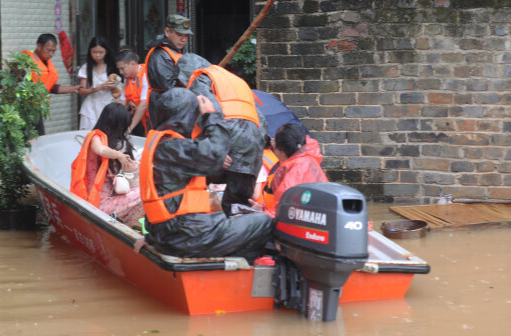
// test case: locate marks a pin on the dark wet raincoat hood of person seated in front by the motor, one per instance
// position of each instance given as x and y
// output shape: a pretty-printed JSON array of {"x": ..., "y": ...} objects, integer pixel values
[{"x": 177, "y": 110}]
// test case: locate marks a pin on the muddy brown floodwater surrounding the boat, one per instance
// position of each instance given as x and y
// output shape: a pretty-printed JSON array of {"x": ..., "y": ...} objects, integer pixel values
[{"x": 47, "y": 287}]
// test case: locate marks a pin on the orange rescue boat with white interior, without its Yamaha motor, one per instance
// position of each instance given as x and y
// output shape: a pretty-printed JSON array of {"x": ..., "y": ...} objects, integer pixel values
[{"x": 193, "y": 286}]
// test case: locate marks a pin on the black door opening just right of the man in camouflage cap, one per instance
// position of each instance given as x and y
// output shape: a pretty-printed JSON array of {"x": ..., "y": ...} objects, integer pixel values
[{"x": 220, "y": 23}]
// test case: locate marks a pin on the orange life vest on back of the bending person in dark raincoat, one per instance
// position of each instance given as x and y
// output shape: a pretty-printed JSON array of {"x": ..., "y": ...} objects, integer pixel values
[{"x": 233, "y": 94}]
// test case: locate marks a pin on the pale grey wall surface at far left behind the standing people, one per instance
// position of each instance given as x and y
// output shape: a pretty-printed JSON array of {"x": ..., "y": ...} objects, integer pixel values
[{"x": 22, "y": 22}]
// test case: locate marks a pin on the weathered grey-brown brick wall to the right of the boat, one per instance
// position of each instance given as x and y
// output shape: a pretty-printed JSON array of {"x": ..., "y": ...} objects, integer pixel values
[{"x": 409, "y": 99}]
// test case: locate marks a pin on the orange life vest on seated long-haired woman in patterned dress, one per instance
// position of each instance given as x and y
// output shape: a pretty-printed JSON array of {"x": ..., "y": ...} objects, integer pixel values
[{"x": 79, "y": 182}]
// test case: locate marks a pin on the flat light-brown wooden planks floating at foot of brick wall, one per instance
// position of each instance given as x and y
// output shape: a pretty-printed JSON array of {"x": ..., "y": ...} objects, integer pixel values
[{"x": 449, "y": 217}]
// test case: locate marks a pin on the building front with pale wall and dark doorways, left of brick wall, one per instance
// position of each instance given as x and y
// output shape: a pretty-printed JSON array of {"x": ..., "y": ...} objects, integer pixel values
[{"x": 217, "y": 23}]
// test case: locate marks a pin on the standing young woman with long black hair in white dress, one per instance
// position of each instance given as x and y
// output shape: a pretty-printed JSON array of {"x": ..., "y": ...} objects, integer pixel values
[{"x": 95, "y": 83}]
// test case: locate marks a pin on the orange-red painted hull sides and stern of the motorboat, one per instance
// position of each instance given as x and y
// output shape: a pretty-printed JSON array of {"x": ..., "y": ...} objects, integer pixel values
[{"x": 194, "y": 292}]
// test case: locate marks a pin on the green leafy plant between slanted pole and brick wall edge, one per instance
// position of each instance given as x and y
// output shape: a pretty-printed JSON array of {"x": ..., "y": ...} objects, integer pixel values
[{"x": 243, "y": 63}]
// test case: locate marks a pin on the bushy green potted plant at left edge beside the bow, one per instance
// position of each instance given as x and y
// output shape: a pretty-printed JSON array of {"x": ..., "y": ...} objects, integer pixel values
[{"x": 22, "y": 103}]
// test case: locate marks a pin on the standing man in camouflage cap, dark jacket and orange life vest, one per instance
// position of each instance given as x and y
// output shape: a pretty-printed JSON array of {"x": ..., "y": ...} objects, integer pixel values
[{"x": 162, "y": 57}]
